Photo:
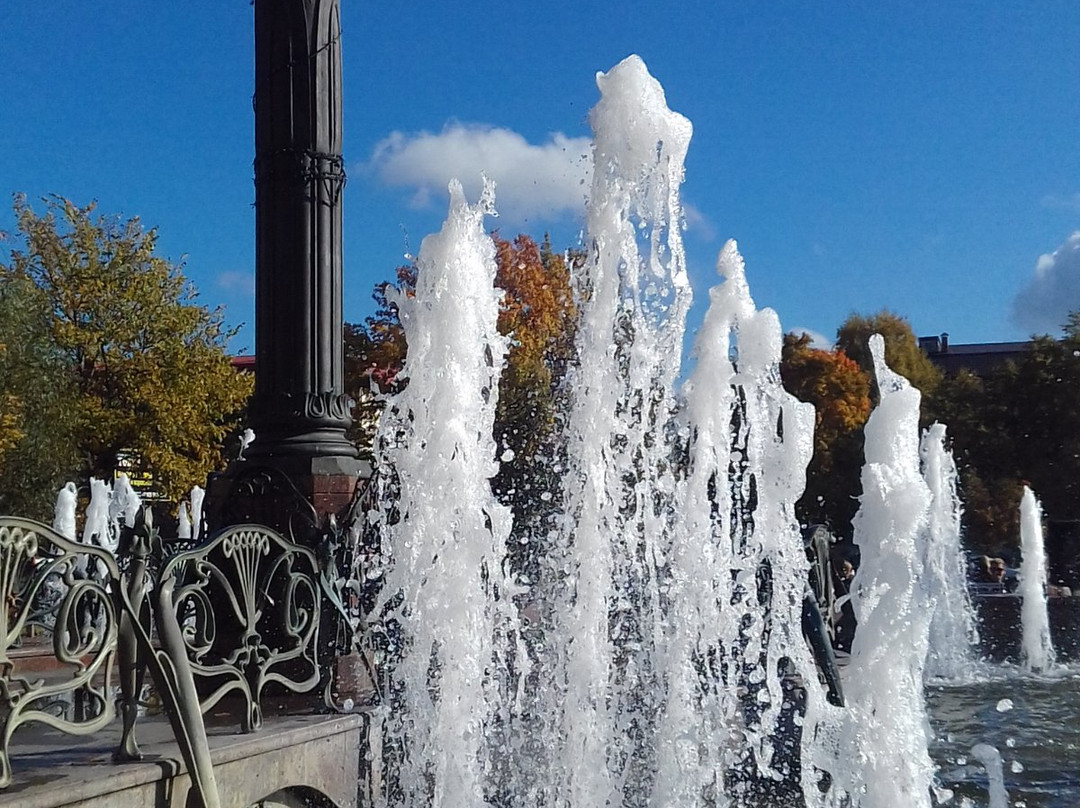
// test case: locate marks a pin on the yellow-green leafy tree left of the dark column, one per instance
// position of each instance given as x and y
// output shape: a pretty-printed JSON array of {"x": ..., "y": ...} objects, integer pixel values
[{"x": 141, "y": 367}]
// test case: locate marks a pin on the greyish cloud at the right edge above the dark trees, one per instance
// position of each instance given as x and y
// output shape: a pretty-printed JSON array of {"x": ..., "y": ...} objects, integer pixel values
[{"x": 1044, "y": 305}]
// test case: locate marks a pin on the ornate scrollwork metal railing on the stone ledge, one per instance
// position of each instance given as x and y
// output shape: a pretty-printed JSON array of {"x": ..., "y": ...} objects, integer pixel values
[{"x": 221, "y": 623}]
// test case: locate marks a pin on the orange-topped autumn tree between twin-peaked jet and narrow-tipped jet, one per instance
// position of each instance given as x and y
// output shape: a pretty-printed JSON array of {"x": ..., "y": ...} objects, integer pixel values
[{"x": 840, "y": 392}]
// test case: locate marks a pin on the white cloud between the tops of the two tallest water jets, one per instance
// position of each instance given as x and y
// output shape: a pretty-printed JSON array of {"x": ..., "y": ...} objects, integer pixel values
[{"x": 546, "y": 181}]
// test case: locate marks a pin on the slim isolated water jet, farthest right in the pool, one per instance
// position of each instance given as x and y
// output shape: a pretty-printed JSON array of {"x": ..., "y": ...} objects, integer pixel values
[{"x": 1038, "y": 649}]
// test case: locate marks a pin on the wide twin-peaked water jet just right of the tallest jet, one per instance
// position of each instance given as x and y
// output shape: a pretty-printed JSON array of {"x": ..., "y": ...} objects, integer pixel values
[{"x": 737, "y": 569}]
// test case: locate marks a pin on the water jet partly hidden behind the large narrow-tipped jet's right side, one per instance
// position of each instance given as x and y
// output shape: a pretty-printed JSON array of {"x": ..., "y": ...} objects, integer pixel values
[{"x": 953, "y": 630}]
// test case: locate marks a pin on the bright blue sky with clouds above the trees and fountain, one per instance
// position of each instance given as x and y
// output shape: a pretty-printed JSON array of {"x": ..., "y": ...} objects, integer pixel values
[{"x": 917, "y": 156}]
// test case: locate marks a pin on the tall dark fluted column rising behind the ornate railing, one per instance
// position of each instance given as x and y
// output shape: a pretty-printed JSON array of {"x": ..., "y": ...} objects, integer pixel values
[{"x": 300, "y": 412}]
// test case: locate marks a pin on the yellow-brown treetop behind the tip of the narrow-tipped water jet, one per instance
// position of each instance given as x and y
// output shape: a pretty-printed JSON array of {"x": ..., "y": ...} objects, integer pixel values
[{"x": 902, "y": 353}]
